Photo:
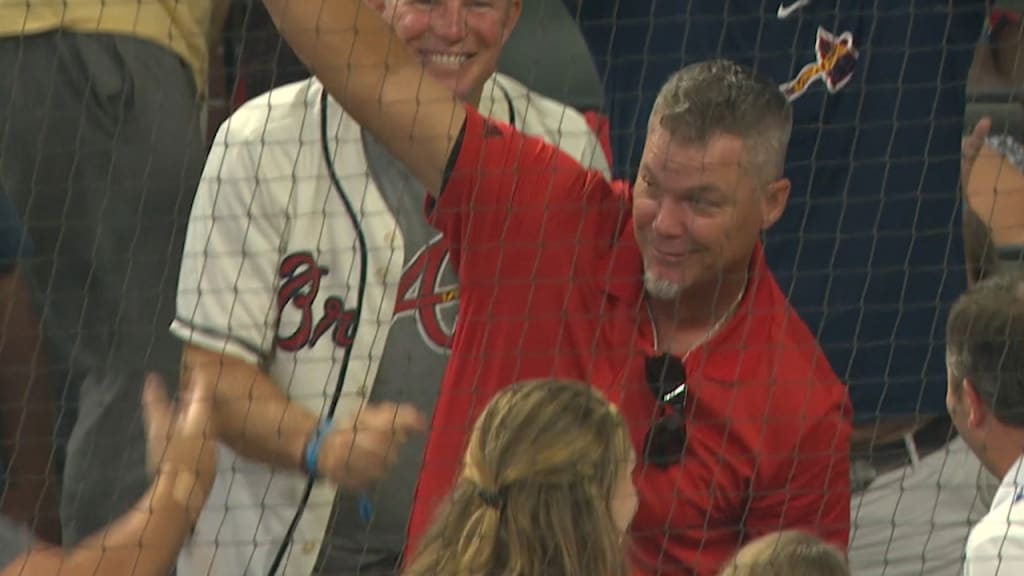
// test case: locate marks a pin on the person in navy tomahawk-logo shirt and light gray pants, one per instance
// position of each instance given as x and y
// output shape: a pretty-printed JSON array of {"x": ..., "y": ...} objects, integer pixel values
[{"x": 866, "y": 253}]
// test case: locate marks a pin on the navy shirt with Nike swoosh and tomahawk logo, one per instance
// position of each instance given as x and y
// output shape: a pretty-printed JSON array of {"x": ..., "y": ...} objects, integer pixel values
[{"x": 869, "y": 251}]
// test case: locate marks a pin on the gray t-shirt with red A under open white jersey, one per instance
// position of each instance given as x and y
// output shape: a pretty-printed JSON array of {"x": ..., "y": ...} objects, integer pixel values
[{"x": 411, "y": 371}]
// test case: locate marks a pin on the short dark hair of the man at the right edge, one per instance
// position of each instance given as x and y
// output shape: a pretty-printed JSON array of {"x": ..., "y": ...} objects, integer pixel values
[{"x": 986, "y": 344}]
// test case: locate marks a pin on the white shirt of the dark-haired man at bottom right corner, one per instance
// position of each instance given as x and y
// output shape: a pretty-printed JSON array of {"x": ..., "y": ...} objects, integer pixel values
[{"x": 996, "y": 547}]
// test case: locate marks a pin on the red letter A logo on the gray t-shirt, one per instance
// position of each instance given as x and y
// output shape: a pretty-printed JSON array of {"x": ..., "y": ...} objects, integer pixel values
[{"x": 426, "y": 293}]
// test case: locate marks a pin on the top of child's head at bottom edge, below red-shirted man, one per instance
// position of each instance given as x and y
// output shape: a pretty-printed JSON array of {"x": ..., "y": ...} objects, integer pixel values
[{"x": 788, "y": 554}]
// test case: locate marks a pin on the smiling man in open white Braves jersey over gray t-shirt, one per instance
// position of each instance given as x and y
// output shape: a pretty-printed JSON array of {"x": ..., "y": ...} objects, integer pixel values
[{"x": 307, "y": 245}]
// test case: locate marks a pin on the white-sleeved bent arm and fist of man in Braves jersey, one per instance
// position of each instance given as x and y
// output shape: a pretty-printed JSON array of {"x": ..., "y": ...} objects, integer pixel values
[{"x": 228, "y": 317}]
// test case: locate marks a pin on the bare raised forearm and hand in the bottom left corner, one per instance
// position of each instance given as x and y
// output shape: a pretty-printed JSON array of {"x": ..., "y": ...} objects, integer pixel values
[{"x": 147, "y": 540}]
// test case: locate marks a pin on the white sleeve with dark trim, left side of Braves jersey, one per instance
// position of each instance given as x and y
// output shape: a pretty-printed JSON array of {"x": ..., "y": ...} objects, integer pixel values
[{"x": 226, "y": 298}]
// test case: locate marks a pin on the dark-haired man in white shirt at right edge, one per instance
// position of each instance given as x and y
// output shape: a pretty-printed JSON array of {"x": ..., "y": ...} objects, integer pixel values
[{"x": 986, "y": 399}]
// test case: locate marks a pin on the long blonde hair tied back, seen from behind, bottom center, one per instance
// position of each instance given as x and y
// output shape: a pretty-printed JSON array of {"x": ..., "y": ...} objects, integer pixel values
[{"x": 534, "y": 498}]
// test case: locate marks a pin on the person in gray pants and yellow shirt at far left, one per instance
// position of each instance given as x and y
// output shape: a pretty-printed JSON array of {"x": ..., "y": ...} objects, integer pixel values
[{"x": 102, "y": 150}]
